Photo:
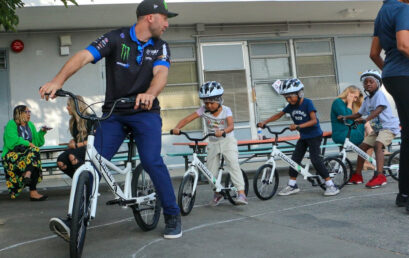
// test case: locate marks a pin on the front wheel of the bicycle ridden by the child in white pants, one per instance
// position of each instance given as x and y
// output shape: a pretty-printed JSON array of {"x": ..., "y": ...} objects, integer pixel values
[{"x": 186, "y": 196}]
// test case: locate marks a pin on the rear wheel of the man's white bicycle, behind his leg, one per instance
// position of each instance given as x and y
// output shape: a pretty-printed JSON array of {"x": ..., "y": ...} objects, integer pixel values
[{"x": 146, "y": 214}]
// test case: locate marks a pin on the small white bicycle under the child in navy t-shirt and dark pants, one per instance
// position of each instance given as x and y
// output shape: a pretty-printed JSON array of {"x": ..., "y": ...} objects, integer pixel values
[{"x": 266, "y": 178}]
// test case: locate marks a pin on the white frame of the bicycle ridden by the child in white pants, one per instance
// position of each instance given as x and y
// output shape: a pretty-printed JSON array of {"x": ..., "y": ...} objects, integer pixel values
[{"x": 215, "y": 182}]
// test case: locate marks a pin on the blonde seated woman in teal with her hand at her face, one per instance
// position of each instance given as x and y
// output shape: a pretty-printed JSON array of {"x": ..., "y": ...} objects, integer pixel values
[{"x": 347, "y": 103}]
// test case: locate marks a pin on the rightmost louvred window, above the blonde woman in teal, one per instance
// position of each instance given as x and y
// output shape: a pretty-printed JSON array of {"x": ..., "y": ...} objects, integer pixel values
[{"x": 316, "y": 69}]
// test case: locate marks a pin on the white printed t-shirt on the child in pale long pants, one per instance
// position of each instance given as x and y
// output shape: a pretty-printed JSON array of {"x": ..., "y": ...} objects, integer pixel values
[{"x": 212, "y": 122}]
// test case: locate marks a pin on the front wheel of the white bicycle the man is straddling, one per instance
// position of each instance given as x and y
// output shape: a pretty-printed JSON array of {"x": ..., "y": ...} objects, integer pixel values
[{"x": 80, "y": 214}]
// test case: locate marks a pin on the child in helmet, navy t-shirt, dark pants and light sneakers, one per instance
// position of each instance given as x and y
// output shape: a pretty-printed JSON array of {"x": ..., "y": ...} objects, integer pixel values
[{"x": 303, "y": 114}]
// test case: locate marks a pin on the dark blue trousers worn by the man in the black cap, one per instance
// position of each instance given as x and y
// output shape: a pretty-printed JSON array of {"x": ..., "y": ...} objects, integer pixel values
[{"x": 146, "y": 128}]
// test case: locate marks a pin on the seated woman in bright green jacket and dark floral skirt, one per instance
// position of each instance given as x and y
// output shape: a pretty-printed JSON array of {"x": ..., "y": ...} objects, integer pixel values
[{"x": 21, "y": 154}]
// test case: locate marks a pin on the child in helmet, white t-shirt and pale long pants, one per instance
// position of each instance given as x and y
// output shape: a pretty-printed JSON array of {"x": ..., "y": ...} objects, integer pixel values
[{"x": 218, "y": 119}]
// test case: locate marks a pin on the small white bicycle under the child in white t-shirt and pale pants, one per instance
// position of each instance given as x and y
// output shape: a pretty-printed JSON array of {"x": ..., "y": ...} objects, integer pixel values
[{"x": 187, "y": 189}]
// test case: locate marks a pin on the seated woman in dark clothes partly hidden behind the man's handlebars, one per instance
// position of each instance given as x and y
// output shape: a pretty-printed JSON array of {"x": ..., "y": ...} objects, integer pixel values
[{"x": 74, "y": 157}]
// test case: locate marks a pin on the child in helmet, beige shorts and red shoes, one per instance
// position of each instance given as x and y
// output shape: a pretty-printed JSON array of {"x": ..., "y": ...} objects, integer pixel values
[{"x": 384, "y": 124}]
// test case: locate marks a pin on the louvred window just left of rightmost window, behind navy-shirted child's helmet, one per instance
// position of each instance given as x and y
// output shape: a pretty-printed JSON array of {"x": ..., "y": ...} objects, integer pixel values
[{"x": 269, "y": 61}]
